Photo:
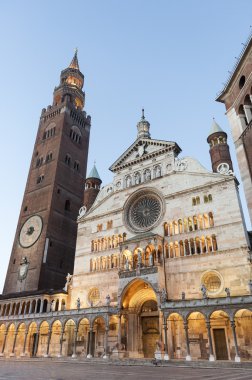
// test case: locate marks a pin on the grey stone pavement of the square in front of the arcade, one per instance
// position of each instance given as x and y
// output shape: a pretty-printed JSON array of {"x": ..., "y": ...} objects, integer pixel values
[{"x": 65, "y": 370}]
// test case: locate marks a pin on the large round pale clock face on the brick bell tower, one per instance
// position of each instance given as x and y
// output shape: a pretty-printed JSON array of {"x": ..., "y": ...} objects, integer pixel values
[{"x": 30, "y": 231}]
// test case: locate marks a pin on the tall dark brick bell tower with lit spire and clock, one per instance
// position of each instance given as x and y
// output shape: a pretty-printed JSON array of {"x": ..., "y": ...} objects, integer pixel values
[{"x": 44, "y": 245}]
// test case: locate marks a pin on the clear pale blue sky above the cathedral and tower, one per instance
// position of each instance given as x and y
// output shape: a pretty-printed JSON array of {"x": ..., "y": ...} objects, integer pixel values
[{"x": 170, "y": 57}]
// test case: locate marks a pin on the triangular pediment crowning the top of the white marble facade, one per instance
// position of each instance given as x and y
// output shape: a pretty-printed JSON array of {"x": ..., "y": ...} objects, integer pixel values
[{"x": 143, "y": 149}]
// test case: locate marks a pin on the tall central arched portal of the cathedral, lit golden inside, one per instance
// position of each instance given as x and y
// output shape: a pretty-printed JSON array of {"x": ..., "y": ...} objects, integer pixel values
[{"x": 140, "y": 325}]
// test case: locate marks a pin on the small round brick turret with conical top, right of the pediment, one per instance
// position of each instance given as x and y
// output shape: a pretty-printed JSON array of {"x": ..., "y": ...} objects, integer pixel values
[{"x": 219, "y": 149}]
